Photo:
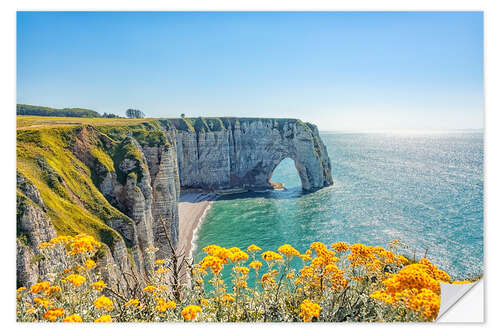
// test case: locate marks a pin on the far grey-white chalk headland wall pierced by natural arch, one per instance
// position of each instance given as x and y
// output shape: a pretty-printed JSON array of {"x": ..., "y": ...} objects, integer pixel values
[{"x": 245, "y": 153}]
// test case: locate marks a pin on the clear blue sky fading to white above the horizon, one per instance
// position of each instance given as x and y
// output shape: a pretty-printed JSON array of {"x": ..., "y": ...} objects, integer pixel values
[{"x": 346, "y": 71}]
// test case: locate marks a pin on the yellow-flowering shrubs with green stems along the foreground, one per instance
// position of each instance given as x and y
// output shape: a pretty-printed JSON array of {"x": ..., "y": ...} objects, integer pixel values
[{"x": 345, "y": 283}]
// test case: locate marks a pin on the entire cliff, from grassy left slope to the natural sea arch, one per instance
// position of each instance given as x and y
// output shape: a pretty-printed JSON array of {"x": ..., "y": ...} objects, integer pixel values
[{"x": 121, "y": 182}]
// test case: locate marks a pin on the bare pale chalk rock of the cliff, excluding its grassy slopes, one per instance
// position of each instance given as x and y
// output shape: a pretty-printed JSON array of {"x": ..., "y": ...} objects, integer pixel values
[{"x": 149, "y": 169}]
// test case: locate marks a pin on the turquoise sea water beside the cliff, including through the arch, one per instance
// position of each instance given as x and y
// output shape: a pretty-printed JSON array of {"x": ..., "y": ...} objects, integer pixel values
[{"x": 425, "y": 189}]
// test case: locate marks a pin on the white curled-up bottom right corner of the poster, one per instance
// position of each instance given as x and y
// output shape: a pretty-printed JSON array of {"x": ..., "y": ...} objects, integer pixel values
[{"x": 462, "y": 303}]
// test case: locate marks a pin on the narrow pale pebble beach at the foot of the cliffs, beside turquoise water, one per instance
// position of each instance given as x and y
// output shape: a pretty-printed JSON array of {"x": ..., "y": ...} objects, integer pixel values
[{"x": 192, "y": 209}]
